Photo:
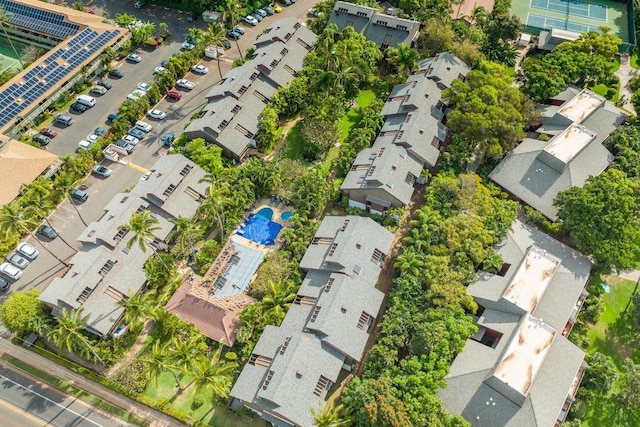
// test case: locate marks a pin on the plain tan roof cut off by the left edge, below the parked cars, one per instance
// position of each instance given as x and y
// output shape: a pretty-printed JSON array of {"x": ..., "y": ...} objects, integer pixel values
[{"x": 20, "y": 164}]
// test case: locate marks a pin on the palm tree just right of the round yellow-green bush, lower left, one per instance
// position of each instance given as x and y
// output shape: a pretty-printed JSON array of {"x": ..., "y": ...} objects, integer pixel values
[{"x": 68, "y": 334}]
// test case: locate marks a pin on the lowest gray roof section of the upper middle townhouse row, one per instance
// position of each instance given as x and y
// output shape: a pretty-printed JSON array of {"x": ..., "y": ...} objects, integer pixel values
[{"x": 383, "y": 167}]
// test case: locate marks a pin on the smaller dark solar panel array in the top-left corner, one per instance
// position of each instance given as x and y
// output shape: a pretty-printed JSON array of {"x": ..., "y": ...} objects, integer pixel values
[{"x": 39, "y": 20}]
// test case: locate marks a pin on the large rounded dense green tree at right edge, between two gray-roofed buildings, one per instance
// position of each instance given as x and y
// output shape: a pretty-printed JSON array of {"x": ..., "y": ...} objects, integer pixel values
[{"x": 602, "y": 217}]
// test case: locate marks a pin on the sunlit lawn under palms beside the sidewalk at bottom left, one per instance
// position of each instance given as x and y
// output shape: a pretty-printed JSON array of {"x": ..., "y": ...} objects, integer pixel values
[{"x": 209, "y": 413}]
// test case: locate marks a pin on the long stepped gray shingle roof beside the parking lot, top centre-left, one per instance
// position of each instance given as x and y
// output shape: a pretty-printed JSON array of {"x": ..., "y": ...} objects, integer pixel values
[{"x": 278, "y": 57}]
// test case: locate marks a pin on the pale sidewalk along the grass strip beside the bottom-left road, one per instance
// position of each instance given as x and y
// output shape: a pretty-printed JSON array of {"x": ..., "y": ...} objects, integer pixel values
[{"x": 159, "y": 419}]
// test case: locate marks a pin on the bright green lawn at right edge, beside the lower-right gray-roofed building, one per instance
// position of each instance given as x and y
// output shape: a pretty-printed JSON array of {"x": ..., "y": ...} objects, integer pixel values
[{"x": 608, "y": 335}]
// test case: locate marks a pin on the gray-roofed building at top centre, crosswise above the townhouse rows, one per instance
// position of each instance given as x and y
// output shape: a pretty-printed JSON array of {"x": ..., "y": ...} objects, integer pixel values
[{"x": 384, "y": 30}]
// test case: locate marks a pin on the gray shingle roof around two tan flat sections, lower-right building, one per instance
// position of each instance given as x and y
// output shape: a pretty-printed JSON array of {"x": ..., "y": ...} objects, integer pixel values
[{"x": 471, "y": 382}]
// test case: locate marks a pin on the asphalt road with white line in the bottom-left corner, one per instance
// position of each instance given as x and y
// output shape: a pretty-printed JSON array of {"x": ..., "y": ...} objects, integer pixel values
[{"x": 27, "y": 403}]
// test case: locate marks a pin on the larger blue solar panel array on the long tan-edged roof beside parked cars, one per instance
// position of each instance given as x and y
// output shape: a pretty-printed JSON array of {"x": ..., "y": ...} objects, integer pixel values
[{"x": 40, "y": 78}]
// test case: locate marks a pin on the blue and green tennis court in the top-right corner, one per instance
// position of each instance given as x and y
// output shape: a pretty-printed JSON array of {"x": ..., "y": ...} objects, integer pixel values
[{"x": 577, "y": 16}]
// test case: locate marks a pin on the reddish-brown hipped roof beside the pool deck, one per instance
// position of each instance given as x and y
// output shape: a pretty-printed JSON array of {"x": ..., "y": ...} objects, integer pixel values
[{"x": 213, "y": 321}]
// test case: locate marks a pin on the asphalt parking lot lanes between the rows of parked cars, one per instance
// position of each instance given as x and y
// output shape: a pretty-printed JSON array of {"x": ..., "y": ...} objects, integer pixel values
[{"x": 66, "y": 220}]
